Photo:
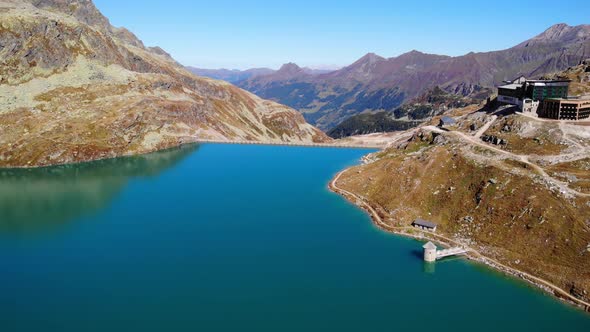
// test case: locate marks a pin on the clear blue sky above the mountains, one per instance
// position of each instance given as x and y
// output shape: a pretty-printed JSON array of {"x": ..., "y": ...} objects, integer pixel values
[{"x": 319, "y": 33}]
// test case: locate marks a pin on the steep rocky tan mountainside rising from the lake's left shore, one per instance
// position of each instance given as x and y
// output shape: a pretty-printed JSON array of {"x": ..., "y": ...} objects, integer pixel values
[{"x": 74, "y": 88}]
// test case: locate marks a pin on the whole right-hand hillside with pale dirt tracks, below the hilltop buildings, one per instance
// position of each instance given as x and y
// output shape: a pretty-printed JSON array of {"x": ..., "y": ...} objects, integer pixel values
[{"x": 513, "y": 188}]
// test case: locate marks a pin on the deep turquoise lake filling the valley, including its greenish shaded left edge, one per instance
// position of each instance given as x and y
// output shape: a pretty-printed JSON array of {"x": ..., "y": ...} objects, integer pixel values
[{"x": 232, "y": 238}]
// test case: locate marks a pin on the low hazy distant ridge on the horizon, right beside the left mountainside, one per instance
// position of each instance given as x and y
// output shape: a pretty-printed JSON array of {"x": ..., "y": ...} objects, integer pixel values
[{"x": 235, "y": 75}]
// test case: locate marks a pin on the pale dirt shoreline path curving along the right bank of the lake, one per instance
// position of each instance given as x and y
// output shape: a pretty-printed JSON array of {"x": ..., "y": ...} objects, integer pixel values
[{"x": 472, "y": 254}]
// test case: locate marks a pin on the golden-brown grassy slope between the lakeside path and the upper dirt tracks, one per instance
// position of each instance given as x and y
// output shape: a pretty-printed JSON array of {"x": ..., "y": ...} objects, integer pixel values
[{"x": 518, "y": 220}]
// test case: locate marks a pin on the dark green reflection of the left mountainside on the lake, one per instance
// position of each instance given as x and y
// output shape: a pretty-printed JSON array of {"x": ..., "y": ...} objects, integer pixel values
[{"x": 37, "y": 200}]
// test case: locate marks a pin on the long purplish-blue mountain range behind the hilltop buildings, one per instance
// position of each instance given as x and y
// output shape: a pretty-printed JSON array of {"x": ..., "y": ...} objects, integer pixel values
[{"x": 375, "y": 83}]
